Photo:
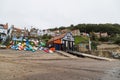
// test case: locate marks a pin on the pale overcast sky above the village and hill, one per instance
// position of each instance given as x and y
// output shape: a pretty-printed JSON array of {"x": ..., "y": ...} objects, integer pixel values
[{"x": 44, "y": 14}]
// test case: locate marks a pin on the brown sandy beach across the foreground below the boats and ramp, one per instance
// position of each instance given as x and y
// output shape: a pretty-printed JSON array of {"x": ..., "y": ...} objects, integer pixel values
[{"x": 26, "y": 65}]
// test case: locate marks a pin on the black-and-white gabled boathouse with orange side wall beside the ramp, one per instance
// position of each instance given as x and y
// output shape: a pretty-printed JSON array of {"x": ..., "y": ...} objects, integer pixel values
[{"x": 62, "y": 42}]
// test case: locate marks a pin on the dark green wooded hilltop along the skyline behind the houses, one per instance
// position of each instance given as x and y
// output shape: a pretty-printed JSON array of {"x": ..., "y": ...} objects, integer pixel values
[{"x": 109, "y": 28}]
